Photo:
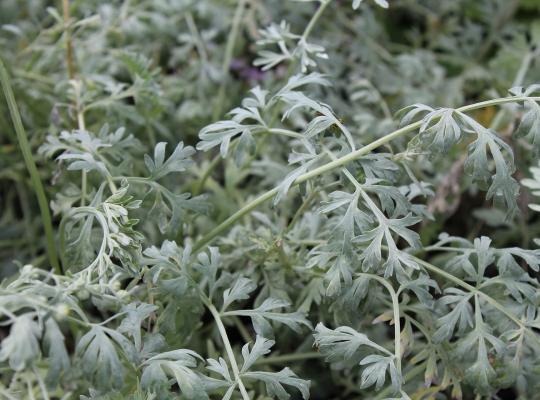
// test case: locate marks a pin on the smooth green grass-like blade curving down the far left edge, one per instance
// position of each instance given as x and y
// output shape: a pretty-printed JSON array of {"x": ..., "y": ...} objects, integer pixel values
[{"x": 31, "y": 167}]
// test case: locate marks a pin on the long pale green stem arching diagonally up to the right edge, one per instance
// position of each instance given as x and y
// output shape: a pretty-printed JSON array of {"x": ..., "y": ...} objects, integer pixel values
[{"x": 354, "y": 155}]
